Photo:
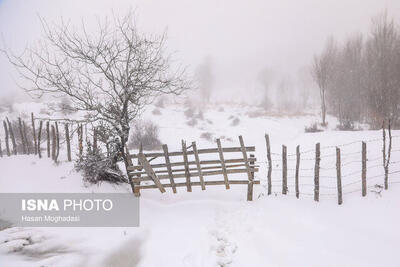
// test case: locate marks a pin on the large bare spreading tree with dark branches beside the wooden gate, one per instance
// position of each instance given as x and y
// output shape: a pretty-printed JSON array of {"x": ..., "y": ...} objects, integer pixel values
[{"x": 111, "y": 74}]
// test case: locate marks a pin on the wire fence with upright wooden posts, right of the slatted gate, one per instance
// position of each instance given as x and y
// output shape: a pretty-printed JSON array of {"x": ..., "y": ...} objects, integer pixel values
[{"x": 321, "y": 174}]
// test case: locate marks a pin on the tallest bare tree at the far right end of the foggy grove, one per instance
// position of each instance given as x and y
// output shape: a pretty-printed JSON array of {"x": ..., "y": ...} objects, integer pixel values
[{"x": 382, "y": 64}]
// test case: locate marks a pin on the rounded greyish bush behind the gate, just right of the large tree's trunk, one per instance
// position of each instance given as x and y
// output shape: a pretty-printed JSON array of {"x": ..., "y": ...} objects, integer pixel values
[{"x": 145, "y": 133}]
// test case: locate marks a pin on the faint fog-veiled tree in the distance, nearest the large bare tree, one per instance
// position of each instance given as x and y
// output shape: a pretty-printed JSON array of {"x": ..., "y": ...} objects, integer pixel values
[{"x": 205, "y": 78}]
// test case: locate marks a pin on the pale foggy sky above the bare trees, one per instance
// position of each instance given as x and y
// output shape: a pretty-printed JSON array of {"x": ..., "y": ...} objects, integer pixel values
[{"x": 241, "y": 37}]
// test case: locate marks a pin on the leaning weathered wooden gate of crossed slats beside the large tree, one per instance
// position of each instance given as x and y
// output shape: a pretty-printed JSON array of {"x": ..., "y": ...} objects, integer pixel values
[{"x": 185, "y": 168}]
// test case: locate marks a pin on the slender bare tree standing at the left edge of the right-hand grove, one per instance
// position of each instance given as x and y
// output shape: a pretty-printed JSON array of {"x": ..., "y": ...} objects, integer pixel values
[{"x": 322, "y": 70}]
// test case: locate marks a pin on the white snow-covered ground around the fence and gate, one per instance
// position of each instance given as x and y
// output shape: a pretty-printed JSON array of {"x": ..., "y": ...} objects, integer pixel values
[{"x": 218, "y": 227}]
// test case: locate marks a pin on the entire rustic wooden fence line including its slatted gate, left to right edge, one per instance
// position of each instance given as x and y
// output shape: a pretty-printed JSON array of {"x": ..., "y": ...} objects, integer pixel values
[{"x": 20, "y": 138}]
